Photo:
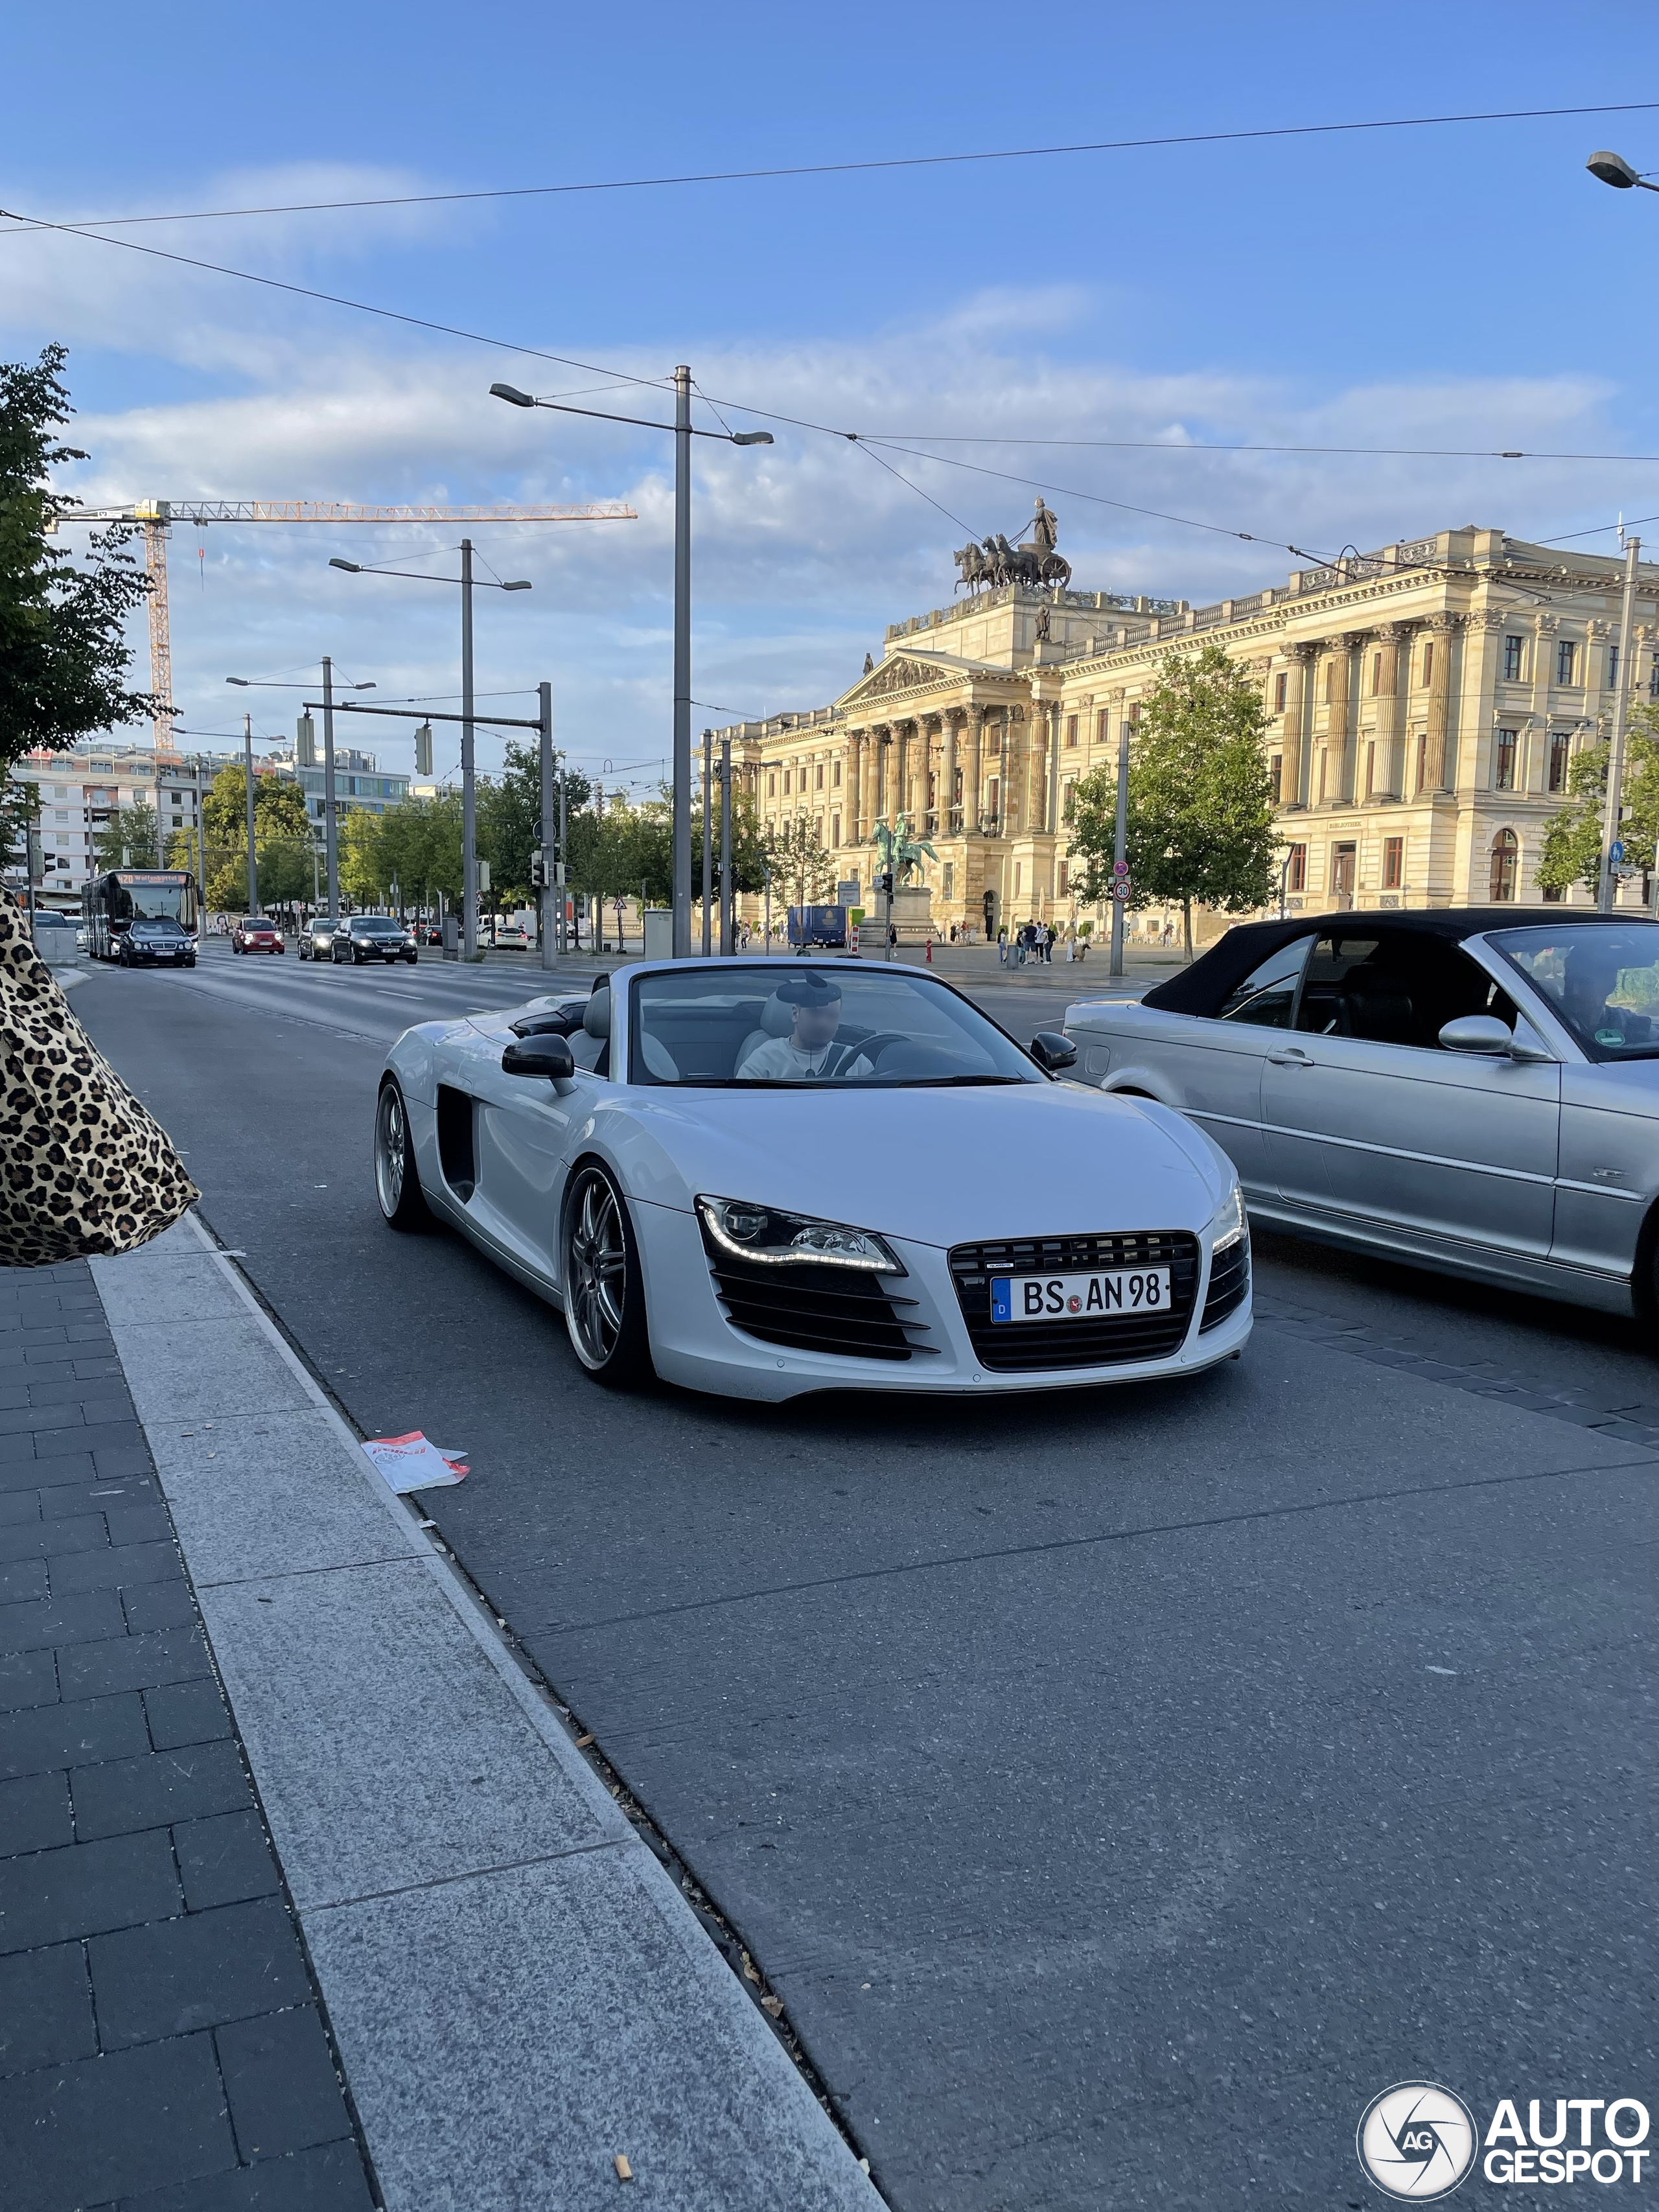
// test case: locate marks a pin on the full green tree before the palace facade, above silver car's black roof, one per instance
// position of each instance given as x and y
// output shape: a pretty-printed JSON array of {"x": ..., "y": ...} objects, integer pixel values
[{"x": 1200, "y": 802}]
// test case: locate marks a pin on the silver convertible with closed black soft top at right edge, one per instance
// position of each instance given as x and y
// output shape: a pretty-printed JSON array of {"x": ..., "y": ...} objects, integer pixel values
[{"x": 1470, "y": 1089}]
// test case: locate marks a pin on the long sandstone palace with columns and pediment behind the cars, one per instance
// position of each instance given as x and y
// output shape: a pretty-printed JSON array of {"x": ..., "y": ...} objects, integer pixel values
[{"x": 1423, "y": 709}]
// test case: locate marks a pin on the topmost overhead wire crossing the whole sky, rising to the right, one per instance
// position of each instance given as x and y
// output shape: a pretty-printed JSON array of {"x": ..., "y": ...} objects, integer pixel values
[{"x": 848, "y": 169}]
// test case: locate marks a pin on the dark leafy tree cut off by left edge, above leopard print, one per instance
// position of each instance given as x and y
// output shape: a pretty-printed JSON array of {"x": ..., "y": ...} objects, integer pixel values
[{"x": 63, "y": 623}]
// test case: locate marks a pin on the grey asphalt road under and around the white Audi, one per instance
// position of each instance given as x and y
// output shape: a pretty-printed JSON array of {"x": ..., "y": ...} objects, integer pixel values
[{"x": 1118, "y": 1788}]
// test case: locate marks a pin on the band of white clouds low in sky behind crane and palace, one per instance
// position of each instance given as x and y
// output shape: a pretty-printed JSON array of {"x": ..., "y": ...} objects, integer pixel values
[{"x": 804, "y": 552}]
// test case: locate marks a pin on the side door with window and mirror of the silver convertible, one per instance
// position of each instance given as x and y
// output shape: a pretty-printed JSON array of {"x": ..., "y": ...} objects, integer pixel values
[{"x": 1370, "y": 1118}]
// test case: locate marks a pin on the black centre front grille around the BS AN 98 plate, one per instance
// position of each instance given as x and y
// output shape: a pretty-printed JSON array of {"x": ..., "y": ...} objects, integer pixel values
[{"x": 1025, "y": 1346}]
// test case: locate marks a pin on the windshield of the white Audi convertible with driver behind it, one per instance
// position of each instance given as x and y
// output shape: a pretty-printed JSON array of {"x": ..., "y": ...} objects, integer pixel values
[{"x": 815, "y": 1023}]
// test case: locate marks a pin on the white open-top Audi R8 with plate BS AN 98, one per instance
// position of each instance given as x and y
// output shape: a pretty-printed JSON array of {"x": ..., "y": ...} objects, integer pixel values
[{"x": 771, "y": 1178}]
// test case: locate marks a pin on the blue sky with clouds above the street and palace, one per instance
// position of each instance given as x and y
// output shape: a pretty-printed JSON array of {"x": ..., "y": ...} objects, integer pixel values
[{"x": 1432, "y": 289}]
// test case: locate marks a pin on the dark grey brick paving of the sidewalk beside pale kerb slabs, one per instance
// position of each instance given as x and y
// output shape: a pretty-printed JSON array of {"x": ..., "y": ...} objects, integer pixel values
[{"x": 160, "y": 2034}]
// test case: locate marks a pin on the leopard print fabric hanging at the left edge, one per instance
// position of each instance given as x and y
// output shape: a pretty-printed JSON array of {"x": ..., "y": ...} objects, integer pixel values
[{"x": 83, "y": 1167}]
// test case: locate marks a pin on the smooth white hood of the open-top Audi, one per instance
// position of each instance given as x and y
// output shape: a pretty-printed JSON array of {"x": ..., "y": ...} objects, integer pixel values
[{"x": 935, "y": 1167}]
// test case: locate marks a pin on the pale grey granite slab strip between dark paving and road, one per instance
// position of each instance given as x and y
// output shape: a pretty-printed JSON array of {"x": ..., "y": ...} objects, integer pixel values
[{"x": 519, "y": 1992}]
